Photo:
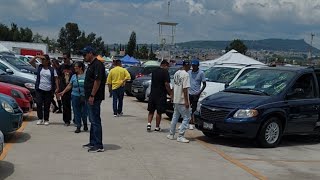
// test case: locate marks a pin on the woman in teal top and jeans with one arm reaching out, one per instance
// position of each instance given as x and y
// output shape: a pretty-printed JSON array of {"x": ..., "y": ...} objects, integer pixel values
[{"x": 78, "y": 97}]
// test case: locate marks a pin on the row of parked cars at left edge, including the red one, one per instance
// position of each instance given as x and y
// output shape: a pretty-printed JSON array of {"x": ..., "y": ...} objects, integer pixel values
[{"x": 17, "y": 89}]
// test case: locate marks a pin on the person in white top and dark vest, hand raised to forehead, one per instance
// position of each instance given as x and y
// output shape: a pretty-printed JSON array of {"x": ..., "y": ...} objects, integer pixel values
[{"x": 46, "y": 85}]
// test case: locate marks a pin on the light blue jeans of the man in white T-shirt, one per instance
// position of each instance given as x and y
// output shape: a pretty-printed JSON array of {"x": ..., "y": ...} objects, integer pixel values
[{"x": 180, "y": 109}]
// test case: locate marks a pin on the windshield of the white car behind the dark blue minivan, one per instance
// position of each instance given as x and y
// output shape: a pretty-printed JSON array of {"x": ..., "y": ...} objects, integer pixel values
[{"x": 221, "y": 74}]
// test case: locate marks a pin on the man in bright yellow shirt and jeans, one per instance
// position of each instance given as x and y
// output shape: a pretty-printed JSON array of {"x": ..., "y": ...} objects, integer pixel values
[{"x": 117, "y": 78}]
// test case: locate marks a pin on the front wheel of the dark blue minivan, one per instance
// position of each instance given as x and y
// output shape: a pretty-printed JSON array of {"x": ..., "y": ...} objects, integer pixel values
[{"x": 270, "y": 133}]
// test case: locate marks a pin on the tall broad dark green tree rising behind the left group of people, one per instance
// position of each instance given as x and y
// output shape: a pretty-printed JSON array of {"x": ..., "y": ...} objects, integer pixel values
[{"x": 68, "y": 37}]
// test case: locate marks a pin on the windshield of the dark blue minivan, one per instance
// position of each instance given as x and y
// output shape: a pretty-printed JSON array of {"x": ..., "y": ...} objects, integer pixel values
[{"x": 262, "y": 82}]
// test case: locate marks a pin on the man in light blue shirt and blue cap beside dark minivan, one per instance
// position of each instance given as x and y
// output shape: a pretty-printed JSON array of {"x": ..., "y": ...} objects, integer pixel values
[{"x": 197, "y": 78}]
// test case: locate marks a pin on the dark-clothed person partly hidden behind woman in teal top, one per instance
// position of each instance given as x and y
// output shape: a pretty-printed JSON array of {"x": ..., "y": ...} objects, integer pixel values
[{"x": 66, "y": 71}]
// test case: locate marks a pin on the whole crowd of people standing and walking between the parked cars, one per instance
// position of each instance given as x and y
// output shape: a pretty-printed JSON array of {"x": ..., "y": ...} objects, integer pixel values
[{"x": 83, "y": 89}]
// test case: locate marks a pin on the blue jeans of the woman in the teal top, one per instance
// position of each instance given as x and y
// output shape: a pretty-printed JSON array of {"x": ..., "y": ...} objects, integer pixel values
[{"x": 79, "y": 111}]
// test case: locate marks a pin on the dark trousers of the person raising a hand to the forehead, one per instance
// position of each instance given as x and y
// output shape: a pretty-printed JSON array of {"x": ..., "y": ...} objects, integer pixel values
[{"x": 43, "y": 100}]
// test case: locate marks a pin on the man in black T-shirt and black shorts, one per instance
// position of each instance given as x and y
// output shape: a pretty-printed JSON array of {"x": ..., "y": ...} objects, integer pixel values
[{"x": 160, "y": 87}]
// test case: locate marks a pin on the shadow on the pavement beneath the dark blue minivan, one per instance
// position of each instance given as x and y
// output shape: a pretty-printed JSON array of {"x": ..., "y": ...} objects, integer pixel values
[{"x": 293, "y": 140}]
